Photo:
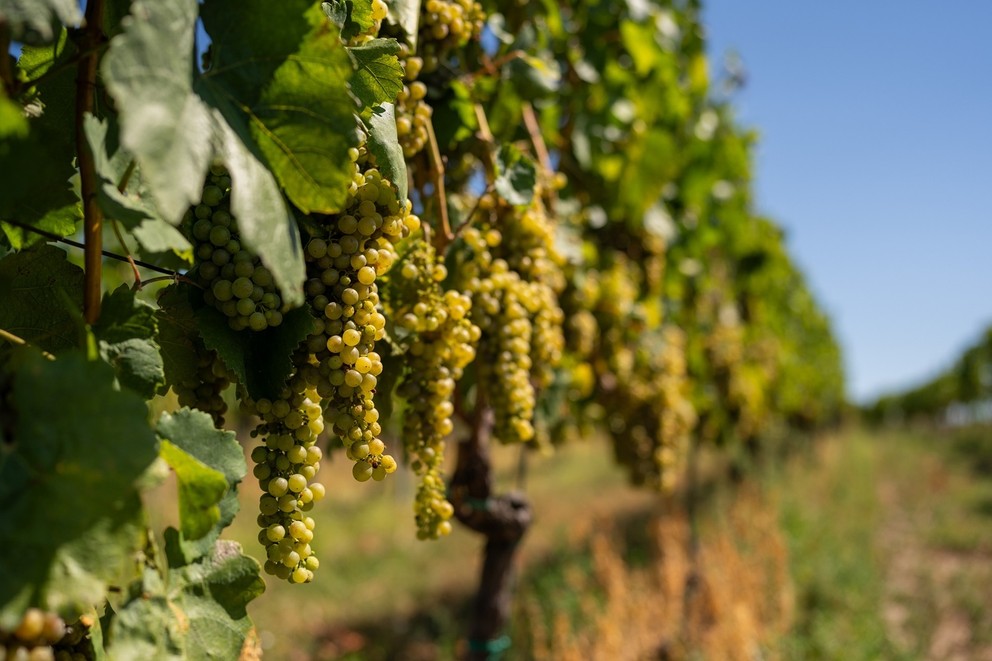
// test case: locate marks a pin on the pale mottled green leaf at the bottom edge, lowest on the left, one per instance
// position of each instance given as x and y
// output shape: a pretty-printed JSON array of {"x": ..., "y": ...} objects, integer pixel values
[{"x": 197, "y": 613}]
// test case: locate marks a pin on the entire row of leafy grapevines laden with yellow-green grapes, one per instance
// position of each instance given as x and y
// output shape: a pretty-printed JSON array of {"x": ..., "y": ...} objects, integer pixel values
[{"x": 388, "y": 229}]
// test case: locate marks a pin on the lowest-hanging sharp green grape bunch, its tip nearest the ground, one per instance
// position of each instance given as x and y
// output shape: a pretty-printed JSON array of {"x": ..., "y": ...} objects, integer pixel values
[{"x": 286, "y": 465}]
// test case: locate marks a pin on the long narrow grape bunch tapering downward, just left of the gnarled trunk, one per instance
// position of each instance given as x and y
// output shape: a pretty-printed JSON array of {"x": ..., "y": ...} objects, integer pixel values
[{"x": 441, "y": 344}]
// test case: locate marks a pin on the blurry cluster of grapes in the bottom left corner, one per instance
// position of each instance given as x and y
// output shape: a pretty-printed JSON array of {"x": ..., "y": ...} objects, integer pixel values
[{"x": 41, "y": 636}]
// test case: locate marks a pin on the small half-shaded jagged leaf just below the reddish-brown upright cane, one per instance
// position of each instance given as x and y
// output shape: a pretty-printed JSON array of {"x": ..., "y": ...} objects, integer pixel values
[{"x": 126, "y": 332}]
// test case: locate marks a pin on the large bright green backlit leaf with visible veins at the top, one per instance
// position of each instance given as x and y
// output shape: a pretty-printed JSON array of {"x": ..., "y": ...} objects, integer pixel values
[{"x": 283, "y": 72}]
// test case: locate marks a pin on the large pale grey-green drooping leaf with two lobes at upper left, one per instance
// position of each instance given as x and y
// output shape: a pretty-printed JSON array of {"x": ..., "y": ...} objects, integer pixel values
[{"x": 174, "y": 134}]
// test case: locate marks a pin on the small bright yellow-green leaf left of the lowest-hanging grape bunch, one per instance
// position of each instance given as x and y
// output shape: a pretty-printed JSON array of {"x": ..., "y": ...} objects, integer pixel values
[{"x": 200, "y": 489}]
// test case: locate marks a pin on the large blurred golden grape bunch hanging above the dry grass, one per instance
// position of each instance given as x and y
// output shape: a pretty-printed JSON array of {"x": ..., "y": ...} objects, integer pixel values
[{"x": 634, "y": 377}]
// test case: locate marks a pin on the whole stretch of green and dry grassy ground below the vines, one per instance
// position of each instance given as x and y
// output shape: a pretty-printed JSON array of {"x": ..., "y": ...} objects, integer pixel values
[{"x": 867, "y": 547}]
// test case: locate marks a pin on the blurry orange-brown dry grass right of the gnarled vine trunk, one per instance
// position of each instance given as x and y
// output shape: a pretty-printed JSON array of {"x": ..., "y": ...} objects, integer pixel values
[{"x": 732, "y": 602}]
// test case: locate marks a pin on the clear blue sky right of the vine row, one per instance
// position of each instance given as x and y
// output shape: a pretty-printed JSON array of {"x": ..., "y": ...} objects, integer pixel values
[{"x": 876, "y": 156}]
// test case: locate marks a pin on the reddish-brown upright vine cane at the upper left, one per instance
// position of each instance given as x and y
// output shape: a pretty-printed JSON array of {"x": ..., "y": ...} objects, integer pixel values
[{"x": 88, "y": 37}]
